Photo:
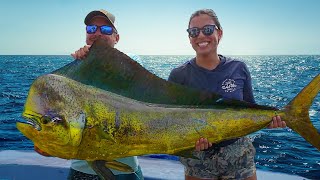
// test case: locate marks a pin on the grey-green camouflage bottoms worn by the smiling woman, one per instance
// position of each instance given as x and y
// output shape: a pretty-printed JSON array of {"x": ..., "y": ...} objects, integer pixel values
[{"x": 235, "y": 161}]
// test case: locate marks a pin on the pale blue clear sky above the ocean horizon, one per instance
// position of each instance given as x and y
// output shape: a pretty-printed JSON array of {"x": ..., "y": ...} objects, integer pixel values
[{"x": 146, "y": 27}]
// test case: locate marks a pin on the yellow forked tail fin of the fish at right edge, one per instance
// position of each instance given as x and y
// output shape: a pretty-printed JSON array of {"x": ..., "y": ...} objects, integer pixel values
[{"x": 297, "y": 113}]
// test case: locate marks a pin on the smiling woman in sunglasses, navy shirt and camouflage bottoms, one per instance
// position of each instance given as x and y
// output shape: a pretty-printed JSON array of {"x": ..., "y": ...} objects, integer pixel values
[{"x": 232, "y": 159}]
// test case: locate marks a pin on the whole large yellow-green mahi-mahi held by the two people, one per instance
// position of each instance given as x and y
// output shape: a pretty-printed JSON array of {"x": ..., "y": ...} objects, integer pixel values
[{"x": 108, "y": 106}]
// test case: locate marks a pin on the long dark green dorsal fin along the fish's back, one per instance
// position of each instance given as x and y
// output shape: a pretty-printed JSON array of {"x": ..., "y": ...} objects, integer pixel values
[{"x": 110, "y": 69}]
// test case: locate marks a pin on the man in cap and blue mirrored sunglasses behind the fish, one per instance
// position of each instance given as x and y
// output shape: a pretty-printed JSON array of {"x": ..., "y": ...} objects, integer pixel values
[{"x": 100, "y": 25}]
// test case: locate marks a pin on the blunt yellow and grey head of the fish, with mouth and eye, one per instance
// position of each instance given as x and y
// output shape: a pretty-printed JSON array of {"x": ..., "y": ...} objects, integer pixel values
[{"x": 47, "y": 121}]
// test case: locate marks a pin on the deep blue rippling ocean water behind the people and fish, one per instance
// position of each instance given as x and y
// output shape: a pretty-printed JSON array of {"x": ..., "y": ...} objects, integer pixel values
[{"x": 276, "y": 80}]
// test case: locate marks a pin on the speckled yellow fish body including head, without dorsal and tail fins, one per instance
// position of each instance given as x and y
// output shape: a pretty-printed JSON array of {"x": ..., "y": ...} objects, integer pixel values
[{"x": 92, "y": 124}]
